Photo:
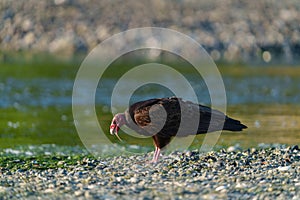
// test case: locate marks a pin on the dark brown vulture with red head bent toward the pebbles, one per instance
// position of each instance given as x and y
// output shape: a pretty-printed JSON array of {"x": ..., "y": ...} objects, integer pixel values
[{"x": 161, "y": 118}]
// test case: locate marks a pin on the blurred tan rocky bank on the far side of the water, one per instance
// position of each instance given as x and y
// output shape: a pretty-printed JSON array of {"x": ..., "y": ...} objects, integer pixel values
[{"x": 231, "y": 30}]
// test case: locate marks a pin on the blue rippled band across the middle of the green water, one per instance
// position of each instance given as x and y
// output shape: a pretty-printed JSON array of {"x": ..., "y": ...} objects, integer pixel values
[{"x": 46, "y": 92}]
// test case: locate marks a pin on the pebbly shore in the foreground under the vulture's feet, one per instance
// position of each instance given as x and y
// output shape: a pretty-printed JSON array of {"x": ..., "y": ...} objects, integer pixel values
[{"x": 256, "y": 173}]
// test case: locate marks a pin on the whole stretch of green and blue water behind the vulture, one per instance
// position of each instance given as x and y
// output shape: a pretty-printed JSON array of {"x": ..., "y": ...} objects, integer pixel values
[{"x": 36, "y": 109}]
